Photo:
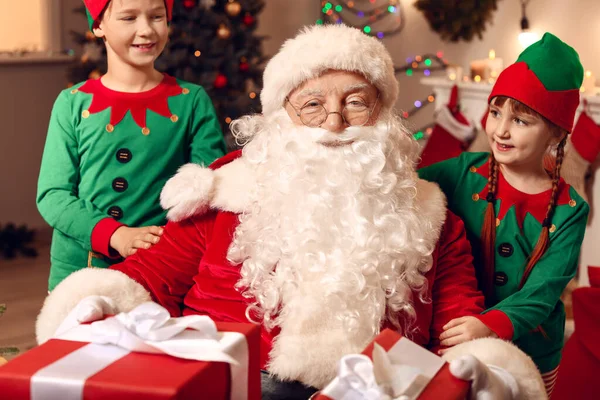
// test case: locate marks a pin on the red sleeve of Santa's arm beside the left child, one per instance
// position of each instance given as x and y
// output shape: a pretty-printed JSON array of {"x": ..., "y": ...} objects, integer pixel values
[{"x": 168, "y": 268}]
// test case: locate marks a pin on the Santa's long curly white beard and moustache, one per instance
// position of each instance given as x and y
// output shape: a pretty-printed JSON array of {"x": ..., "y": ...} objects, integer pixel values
[{"x": 333, "y": 243}]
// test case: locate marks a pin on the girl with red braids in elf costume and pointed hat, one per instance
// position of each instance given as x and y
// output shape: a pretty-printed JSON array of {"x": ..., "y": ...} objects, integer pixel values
[{"x": 525, "y": 224}]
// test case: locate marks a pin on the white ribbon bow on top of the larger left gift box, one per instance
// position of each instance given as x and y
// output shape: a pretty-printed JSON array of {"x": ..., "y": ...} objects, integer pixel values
[{"x": 148, "y": 328}]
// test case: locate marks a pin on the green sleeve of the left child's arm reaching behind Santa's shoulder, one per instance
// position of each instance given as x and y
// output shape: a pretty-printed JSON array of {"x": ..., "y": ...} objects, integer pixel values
[{"x": 207, "y": 143}]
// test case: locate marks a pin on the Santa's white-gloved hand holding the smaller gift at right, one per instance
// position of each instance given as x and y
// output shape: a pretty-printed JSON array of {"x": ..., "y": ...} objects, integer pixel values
[{"x": 488, "y": 381}]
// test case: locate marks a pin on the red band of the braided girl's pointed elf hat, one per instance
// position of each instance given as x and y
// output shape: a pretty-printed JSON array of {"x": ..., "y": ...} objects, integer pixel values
[{"x": 520, "y": 83}]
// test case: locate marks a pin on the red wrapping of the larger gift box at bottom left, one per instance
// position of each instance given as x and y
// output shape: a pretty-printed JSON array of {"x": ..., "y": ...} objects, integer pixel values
[{"x": 138, "y": 376}]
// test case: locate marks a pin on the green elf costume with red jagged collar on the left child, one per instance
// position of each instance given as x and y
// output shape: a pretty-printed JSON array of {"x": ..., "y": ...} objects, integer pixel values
[{"x": 107, "y": 156}]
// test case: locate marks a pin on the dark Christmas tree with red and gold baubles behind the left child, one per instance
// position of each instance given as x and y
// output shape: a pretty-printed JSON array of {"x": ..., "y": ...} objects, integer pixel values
[{"x": 212, "y": 43}]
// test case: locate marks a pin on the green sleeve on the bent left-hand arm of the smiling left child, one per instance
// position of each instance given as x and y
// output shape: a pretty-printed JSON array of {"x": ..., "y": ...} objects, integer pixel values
[{"x": 57, "y": 194}]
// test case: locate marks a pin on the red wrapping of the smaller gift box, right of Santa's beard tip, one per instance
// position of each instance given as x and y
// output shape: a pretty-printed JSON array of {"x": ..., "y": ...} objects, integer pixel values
[{"x": 443, "y": 385}]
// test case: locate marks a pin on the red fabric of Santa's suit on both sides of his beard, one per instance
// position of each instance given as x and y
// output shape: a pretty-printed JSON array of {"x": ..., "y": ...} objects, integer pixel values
[{"x": 187, "y": 272}]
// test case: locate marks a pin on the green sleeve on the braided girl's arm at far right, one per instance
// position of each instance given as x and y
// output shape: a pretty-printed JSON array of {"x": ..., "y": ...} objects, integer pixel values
[{"x": 531, "y": 306}]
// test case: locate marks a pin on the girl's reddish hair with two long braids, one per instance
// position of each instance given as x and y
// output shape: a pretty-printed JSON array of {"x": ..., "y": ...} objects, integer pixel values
[{"x": 488, "y": 230}]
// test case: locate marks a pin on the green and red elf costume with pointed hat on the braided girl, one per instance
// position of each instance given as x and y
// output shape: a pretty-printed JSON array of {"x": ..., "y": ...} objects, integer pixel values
[{"x": 525, "y": 307}]
